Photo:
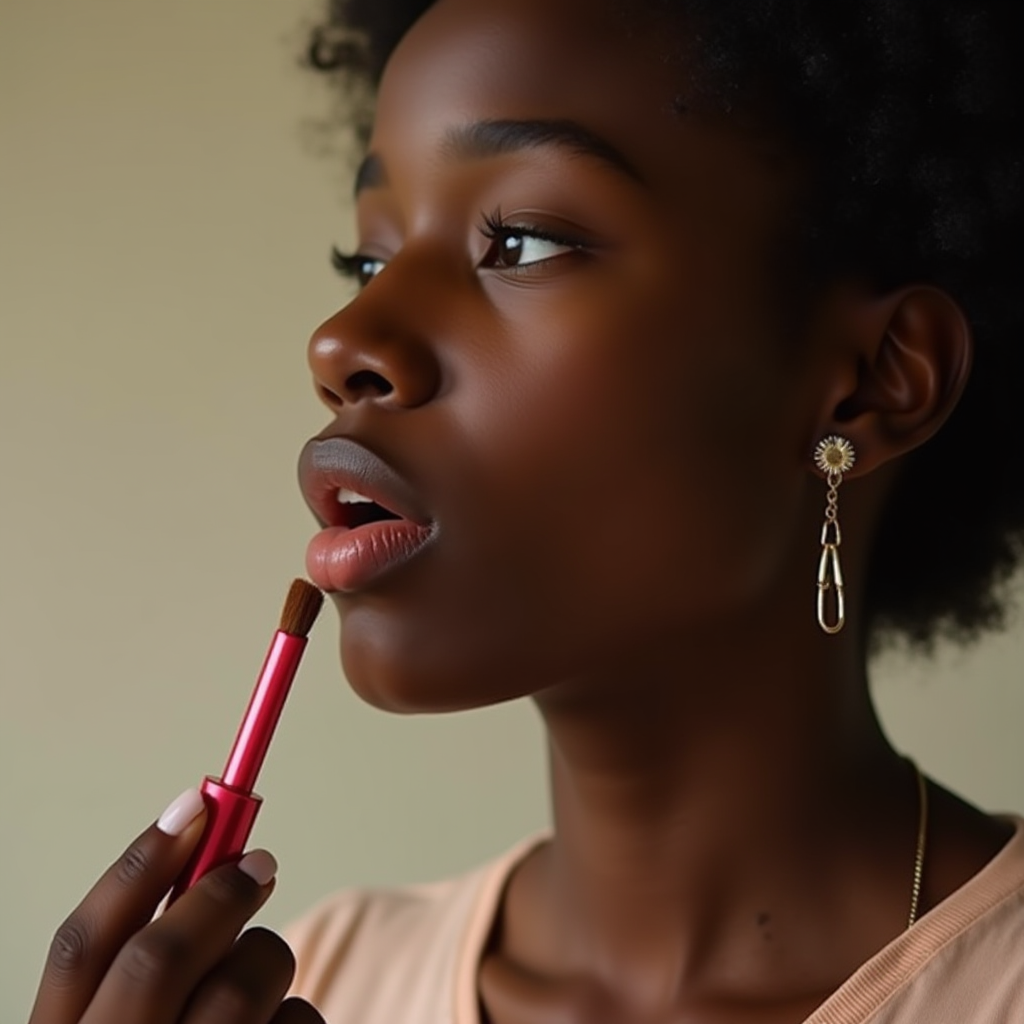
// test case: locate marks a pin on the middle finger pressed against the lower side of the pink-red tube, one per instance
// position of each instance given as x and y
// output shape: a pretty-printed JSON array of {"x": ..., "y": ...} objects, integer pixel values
[{"x": 154, "y": 975}]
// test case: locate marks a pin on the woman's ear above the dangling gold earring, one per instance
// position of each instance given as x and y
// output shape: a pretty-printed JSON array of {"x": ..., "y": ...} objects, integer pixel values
[{"x": 902, "y": 375}]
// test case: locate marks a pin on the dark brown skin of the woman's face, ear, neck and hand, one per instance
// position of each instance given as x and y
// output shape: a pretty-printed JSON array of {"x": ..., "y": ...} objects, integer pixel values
[{"x": 611, "y": 417}]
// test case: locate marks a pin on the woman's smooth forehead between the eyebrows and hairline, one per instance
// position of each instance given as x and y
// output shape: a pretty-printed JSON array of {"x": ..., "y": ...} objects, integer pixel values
[{"x": 487, "y": 60}]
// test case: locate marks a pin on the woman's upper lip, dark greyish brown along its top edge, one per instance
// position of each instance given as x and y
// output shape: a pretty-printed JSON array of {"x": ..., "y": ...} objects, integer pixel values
[{"x": 332, "y": 464}]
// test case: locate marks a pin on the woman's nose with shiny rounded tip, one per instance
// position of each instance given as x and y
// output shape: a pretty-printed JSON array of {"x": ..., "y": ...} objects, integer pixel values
[{"x": 362, "y": 355}]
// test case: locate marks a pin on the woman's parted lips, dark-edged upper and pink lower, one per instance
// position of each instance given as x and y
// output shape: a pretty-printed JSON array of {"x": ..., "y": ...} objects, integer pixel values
[{"x": 345, "y": 559}]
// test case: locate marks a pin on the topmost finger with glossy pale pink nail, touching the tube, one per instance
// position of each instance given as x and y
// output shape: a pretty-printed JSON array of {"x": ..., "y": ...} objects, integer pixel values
[{"x": 117, "y": 907}]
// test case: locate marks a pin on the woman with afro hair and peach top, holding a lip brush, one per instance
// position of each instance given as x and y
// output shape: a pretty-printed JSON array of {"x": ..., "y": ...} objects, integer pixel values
[{"x": 665, "y": 310}]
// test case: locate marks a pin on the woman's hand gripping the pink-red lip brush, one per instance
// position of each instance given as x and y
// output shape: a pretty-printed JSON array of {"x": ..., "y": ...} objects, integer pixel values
[{"x": 110, "y": 963}]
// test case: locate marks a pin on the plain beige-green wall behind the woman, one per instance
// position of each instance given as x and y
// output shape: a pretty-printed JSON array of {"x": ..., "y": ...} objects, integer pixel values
[{"x": 164, "y": 232}]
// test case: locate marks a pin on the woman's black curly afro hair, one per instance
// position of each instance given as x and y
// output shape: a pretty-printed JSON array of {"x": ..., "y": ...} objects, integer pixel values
[{"x": 910, "y": 115}]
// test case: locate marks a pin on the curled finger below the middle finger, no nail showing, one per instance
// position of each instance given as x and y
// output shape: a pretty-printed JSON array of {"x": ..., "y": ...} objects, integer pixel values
[{"x": 248, "y": 986}]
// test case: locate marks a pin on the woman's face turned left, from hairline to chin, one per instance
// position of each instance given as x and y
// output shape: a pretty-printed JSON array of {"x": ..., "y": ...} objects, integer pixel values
[{"x": 572, "y": 356}]
